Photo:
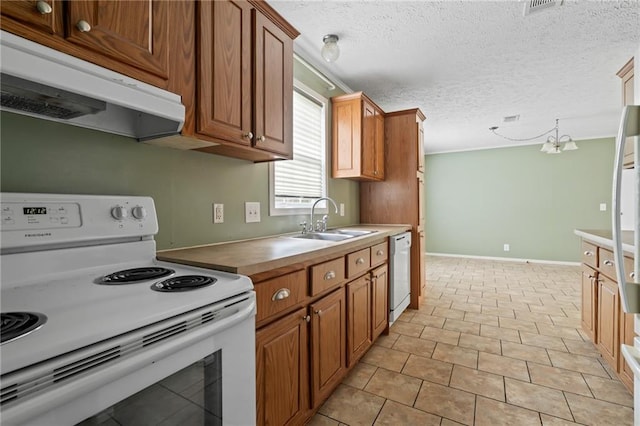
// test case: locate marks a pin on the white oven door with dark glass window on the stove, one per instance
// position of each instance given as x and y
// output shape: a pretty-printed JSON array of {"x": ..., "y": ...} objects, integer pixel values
[{"x": 202, "y": 376}]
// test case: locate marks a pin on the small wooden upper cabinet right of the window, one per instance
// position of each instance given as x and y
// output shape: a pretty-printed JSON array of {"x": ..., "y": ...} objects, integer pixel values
[{"x": 357, "y": 138}]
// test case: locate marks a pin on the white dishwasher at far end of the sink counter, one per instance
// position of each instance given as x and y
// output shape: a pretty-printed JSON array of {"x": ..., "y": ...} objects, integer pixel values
[{"x": 400, "y": 275}]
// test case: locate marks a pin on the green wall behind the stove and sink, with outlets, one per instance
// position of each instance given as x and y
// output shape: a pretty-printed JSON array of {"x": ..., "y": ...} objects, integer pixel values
[{"x": 43, "y": 156}]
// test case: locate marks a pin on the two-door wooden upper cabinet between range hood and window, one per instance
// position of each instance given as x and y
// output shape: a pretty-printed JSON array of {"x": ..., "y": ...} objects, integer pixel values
[{"x": 245, "y": 74}]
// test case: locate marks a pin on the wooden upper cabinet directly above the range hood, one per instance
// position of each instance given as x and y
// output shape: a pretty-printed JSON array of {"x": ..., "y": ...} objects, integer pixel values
[{"x": 130, "y": 37}]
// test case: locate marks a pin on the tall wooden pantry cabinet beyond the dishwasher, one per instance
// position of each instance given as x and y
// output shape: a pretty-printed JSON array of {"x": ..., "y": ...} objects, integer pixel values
[{"x": 399, "y": 198}]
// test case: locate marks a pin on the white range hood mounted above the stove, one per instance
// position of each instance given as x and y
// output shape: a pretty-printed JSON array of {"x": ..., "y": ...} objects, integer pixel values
[{"x": 44, "y": 83}]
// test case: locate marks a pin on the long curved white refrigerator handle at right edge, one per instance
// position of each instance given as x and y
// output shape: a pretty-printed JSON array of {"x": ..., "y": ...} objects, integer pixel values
[{"x": 629, "y": 291}]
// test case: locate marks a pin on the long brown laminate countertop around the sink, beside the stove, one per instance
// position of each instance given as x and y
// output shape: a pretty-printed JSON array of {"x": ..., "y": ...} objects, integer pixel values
[{"x": 250, "y": 257}]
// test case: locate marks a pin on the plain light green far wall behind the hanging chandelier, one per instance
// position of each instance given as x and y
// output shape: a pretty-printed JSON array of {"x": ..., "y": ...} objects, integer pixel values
[{"x": 476, "y": 201}]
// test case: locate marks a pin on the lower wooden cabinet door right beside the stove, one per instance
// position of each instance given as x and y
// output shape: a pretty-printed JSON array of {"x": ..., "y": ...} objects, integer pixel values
[{"x": 282, "y": 371}]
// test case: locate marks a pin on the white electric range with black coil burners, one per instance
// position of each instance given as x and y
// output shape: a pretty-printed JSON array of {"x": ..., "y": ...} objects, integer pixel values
[{"x": 93, "y": 324}]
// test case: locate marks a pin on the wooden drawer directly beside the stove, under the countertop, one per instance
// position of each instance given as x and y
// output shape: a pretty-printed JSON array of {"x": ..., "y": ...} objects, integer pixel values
[{"x": 277, "y": 294}]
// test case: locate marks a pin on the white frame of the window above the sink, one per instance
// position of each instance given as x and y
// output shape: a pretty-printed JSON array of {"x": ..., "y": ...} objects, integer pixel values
[{"x": 322, "y": 206}]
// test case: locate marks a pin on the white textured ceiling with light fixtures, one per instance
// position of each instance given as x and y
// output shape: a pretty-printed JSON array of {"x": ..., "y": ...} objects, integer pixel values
[{"x": 468, "y": 64}]
